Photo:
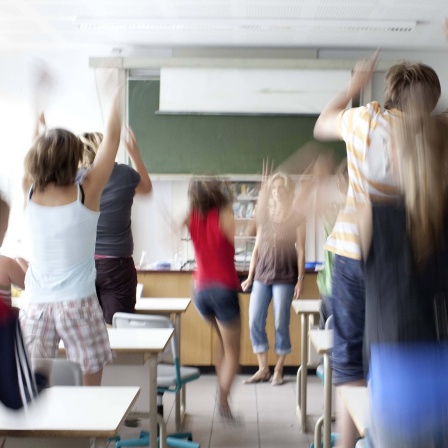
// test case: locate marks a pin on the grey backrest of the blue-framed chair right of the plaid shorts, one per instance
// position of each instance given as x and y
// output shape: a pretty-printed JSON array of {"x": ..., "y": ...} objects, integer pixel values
[{"x": 131, "y": 320}]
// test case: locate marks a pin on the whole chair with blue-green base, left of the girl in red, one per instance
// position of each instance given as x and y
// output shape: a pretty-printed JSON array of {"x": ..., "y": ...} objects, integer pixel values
[{"x": 171, "y": 376}]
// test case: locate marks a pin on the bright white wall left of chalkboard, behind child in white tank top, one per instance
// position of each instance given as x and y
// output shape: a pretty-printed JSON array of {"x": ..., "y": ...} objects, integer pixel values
[{"x": 72, "y": 104}]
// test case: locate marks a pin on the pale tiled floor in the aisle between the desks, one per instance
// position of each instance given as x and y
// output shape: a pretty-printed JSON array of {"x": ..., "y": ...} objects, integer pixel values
[{"x": 267, "y": 414}]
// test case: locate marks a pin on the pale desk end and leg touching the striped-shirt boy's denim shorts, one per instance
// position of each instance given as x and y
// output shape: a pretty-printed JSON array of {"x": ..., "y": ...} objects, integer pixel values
[{"x": 322, "y": 340}]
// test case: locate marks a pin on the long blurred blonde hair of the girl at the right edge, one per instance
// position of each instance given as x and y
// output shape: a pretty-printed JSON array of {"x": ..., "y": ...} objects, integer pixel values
[{"x": 421, "y": 155}]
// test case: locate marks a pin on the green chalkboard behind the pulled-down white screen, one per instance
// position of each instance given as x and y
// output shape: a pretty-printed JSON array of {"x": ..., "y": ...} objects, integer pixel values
[{"x": 222, "y": 144}]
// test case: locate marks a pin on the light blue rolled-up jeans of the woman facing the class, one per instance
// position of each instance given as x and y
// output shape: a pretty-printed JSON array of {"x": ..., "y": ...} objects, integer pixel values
[{"x": 260, "y": 298}]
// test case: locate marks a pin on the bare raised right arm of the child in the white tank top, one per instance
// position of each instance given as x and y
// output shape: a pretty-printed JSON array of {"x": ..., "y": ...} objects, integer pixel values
[{"x": 98, "y": 174}]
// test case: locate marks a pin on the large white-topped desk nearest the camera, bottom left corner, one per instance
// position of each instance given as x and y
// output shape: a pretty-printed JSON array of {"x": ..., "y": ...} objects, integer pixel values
[{"x": 78, "y": 413}]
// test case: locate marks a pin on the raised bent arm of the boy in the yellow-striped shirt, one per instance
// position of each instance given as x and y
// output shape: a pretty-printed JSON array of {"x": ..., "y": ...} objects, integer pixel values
[{"x": 326, "y": 127}]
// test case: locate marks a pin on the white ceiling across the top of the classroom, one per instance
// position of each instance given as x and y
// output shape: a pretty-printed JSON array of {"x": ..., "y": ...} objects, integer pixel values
[{"x": 122, "y": 24}]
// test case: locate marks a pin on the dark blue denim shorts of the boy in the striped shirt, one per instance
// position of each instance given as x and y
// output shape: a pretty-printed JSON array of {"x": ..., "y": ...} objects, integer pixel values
[{"x": 348, "y": 308}]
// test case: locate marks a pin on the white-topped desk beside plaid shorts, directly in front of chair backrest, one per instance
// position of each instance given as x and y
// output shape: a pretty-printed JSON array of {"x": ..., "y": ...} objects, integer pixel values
[{"x": 149, "y": 342}]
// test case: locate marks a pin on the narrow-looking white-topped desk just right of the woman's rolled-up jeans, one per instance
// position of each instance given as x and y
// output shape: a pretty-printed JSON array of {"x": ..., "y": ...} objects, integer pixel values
[{"x": 304, "y": 308}]
